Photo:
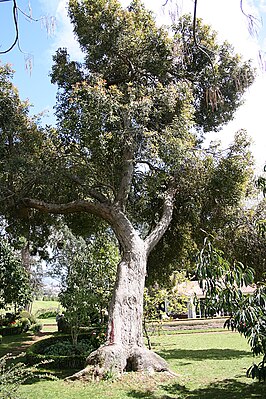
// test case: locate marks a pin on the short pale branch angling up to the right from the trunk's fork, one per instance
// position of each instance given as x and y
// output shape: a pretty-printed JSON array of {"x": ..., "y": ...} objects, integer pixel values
[{"x": 157, "y": 233}]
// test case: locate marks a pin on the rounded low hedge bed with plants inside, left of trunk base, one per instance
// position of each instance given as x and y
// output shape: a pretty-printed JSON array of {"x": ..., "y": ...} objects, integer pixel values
[{"x": 53, "y": 347}]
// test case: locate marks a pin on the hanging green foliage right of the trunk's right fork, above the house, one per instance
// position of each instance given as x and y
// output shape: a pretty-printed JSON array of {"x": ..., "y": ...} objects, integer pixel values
[{"x": 209, "y": 199}]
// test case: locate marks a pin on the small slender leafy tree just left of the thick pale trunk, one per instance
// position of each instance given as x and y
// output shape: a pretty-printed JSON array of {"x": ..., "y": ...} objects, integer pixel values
[{"x": 87, "y": 272}]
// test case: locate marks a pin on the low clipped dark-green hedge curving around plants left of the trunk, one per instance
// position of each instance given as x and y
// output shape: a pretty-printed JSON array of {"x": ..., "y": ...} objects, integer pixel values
[{"x": 35, "y": 353}]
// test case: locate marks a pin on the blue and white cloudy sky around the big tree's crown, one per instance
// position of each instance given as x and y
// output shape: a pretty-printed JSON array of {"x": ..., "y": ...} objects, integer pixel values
[{"x": 224, "y": 16}]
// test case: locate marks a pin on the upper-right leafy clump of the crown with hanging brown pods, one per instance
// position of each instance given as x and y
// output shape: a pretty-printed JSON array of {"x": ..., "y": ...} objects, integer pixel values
[{"x": 218, "y": 76}]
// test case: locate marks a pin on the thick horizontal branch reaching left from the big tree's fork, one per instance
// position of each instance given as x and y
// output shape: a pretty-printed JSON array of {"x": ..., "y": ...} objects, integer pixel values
[{"x": 101, "y": 210}]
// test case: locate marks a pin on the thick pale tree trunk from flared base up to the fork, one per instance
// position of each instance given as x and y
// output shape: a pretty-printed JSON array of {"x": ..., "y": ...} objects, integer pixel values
[{"x": 124, "y": 349}]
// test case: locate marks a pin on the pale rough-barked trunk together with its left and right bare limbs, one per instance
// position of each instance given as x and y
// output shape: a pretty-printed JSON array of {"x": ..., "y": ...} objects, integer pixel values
[{"x": 124, "y": 349}]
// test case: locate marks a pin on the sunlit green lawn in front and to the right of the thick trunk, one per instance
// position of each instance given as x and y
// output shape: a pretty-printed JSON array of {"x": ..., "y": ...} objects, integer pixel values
[{"x": 208, "y": 365}]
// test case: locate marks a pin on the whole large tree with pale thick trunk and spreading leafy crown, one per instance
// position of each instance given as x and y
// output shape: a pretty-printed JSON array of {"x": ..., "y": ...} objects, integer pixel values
[{"x": 129, "y": 122}]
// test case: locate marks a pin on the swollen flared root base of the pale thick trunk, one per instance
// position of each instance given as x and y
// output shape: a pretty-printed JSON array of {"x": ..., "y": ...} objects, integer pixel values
[{"x": 115, "y": 359}]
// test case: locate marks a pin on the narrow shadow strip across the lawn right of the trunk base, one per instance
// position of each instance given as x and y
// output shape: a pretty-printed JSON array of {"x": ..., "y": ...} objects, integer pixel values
[{"x": 203, "y": 354}]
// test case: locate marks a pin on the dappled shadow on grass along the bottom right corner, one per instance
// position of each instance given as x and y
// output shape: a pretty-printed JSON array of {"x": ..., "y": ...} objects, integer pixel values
[{"x": 227, "y": 389}]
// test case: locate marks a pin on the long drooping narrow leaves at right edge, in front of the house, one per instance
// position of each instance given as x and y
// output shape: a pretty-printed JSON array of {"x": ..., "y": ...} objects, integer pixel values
[{"x": 222, "y": 282}]
